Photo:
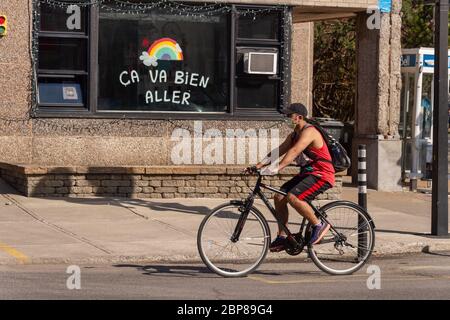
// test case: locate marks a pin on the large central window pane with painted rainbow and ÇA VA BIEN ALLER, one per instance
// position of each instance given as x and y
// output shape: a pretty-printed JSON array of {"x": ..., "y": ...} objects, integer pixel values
[{"x": 163, "y": 62}]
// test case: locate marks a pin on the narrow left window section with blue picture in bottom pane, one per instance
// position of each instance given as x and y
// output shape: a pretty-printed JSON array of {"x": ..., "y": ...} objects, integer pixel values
[{"x": 63, "y": 57}]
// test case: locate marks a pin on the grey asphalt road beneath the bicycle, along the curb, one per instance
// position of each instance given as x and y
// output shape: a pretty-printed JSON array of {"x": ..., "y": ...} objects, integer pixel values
[{"x": 424, "y": 276}]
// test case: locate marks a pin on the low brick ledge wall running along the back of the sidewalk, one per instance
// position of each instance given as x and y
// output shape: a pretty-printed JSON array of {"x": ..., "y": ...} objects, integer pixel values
[{"x": 142, "y": 182}]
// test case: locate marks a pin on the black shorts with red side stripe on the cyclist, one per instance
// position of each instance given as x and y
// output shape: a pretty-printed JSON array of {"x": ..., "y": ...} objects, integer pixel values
[{"x": 306, "y": 187}]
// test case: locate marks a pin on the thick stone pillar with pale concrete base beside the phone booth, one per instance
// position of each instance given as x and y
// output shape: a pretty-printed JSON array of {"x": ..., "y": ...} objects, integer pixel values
[{"x": 378, "y": 99}]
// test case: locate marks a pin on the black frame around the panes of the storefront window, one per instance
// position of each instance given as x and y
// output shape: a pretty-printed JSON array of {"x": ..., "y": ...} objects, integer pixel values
[{"x": 234, "y": 113}]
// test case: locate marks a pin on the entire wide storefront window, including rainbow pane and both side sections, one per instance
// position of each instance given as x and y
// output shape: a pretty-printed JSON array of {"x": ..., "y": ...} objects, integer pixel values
[{"x": 158, "y": 62}]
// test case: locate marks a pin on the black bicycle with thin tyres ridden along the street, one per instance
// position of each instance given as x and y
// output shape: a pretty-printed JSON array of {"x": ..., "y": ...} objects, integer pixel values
[{"x": 240, "y": 223}]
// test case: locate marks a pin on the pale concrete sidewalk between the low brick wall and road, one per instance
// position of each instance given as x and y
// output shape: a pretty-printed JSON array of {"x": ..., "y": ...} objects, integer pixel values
[{"x": 113, "y": 230}]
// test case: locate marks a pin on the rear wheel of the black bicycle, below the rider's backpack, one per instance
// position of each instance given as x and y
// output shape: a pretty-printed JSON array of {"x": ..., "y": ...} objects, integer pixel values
[{"x": 337, "y": 257}]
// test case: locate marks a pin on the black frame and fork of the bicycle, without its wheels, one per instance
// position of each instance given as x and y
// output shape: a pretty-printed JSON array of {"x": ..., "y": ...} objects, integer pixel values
[{"x": 257, "y": 192}]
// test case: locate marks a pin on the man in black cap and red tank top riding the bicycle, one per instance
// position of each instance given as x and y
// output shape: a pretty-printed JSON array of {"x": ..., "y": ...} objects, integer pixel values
[{"x": 307, "y": 147}]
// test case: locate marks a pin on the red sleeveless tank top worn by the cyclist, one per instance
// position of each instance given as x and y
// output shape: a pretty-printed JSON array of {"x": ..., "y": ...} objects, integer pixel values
[{"x": 316, "y": 167}]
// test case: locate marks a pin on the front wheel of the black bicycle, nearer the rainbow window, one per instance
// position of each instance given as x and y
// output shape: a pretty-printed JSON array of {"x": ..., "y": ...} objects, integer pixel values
[{"x": 233, "y": 258}]
